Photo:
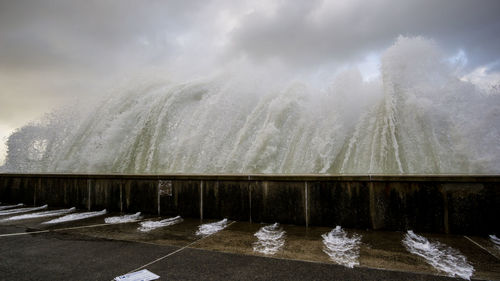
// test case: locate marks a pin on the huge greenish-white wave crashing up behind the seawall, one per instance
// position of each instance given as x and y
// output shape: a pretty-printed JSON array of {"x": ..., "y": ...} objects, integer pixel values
[{"x": 419, "y": 117}]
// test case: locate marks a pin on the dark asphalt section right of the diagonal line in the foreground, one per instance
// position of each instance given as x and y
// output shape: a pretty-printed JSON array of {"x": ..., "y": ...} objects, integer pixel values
[{"x": 195, "y": 264}]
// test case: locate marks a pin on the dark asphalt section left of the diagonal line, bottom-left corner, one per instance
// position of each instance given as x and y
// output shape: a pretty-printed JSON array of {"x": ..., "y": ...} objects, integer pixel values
[{"x": 56, "y": 256}]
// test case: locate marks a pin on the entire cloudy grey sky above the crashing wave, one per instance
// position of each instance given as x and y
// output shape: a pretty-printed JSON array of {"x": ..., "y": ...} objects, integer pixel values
[{"x": 55, "y": 51}]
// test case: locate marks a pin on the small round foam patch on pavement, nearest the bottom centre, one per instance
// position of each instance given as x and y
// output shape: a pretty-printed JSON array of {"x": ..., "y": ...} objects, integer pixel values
[{"x": 271, "y": 239}]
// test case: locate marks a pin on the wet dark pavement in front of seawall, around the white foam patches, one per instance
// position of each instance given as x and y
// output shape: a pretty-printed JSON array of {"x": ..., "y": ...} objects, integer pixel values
[{"x": 90, "y": 249}]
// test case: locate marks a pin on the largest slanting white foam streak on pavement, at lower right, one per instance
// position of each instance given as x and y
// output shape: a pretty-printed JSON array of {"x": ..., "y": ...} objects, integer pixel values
[{"x": 440, "y": 256}]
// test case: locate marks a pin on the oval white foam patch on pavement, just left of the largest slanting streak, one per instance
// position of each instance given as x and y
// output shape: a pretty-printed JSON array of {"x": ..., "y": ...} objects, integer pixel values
[{"x": 340, "y": 248}]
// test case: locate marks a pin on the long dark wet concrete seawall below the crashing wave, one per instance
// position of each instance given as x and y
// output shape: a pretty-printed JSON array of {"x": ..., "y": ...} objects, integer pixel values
[{"x": 445, "y": 204}]
